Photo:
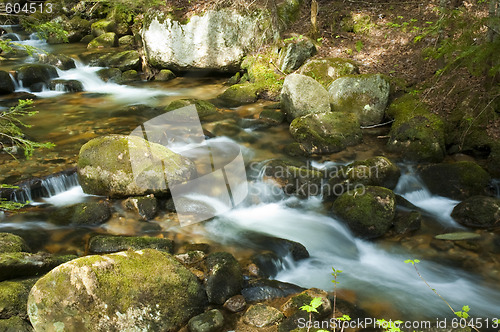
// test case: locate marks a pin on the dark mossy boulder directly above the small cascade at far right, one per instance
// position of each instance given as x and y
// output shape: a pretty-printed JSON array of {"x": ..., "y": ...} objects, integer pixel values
[{"x": 458, "y": 180}]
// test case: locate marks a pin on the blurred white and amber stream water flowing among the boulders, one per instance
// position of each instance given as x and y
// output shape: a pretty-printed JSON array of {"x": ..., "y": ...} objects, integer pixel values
[{"x": 374, "y": 271}]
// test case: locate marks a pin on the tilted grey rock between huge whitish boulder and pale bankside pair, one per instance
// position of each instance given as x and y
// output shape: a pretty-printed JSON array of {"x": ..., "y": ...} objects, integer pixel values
[{"x": 294, "y": 54}]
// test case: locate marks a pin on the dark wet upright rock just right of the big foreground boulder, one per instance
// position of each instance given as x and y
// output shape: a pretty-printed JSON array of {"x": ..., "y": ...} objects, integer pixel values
[{"x": 224, "y": 277}]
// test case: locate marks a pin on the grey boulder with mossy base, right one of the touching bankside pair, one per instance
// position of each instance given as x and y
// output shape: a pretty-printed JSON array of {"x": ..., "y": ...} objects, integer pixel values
[{"x": 365, "y": 95}]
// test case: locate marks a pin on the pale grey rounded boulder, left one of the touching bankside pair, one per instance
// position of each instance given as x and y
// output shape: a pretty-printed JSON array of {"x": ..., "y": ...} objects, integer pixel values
[{"x": 302, "y": 95}]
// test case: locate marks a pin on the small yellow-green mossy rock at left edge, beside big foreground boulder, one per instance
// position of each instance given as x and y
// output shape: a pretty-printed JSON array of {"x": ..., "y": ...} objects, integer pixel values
[{"x": 13, "y": 297}]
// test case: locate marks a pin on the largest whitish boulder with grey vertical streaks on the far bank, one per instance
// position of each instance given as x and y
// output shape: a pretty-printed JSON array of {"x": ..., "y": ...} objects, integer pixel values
[{"x": 218, "y": 40}]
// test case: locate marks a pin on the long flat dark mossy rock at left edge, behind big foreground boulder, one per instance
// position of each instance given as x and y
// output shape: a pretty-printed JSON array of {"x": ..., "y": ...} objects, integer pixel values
[{"x": 23, "y": 264}]
